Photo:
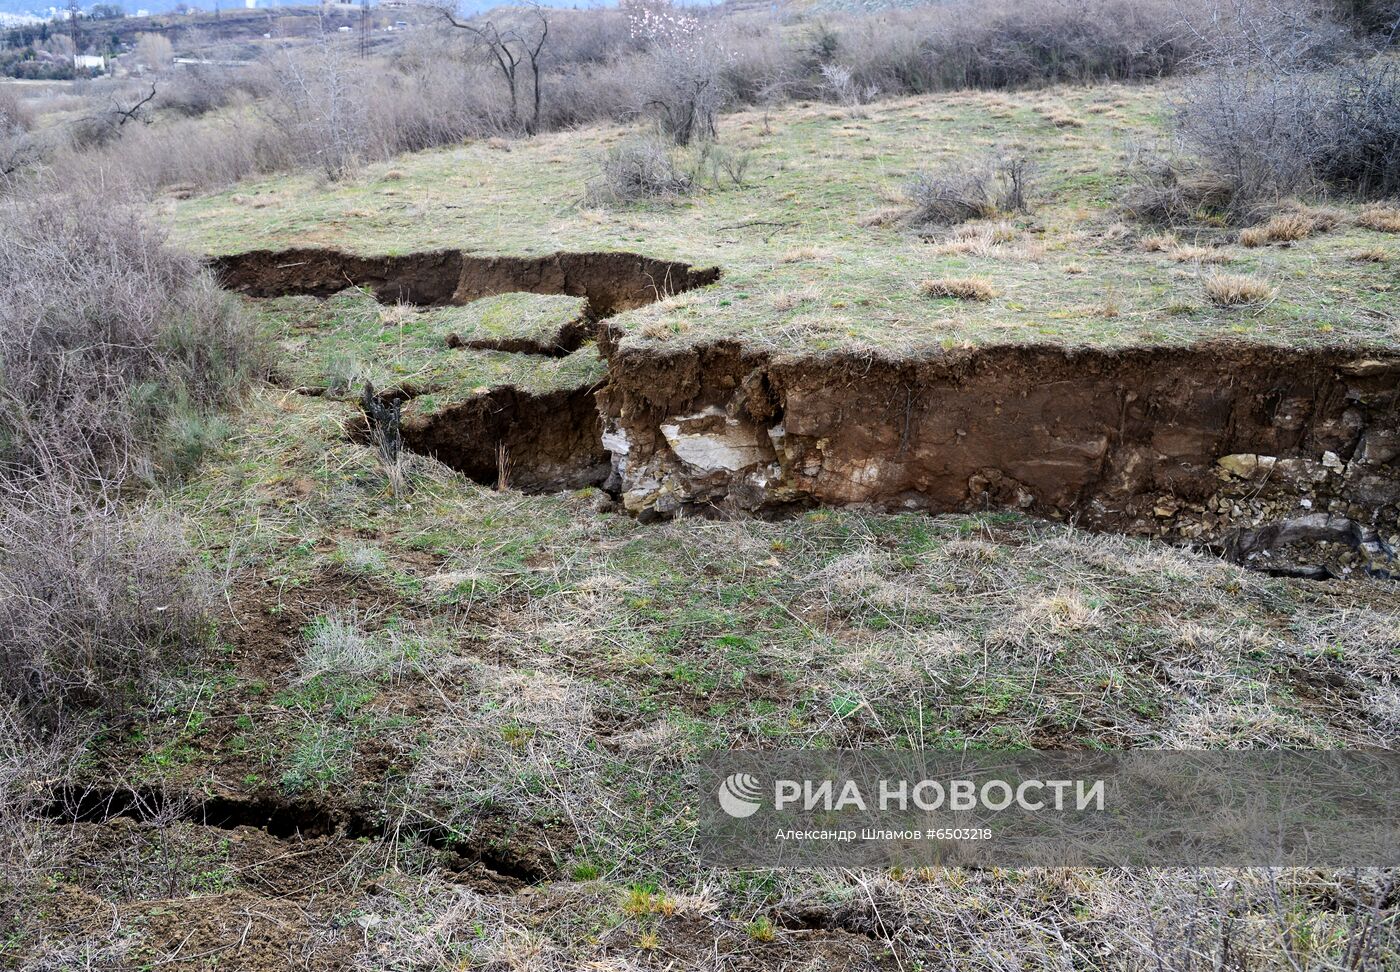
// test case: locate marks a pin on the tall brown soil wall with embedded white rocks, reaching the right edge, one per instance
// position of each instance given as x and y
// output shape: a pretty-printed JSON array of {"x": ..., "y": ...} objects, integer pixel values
[{"x": 1185, "y": 442}]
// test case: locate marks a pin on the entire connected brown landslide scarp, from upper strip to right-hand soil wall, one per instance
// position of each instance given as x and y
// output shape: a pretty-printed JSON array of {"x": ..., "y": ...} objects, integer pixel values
[{"x": 1282, "y": 459}]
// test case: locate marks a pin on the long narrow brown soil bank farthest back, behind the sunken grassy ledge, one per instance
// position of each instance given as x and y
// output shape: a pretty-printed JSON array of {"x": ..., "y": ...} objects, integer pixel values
[{"x": 610, "y": 282}]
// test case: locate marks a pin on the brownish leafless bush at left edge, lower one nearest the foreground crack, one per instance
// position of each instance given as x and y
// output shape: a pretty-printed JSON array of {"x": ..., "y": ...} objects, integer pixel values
[{"x": 94, "y": 604}]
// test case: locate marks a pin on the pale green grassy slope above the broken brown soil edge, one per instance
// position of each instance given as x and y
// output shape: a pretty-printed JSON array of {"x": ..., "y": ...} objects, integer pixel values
[{"x": 804, "y": 268}]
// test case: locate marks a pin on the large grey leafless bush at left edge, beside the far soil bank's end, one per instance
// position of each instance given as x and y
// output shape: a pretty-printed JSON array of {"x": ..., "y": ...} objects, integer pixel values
[{"x": 110, "y": 341}]
